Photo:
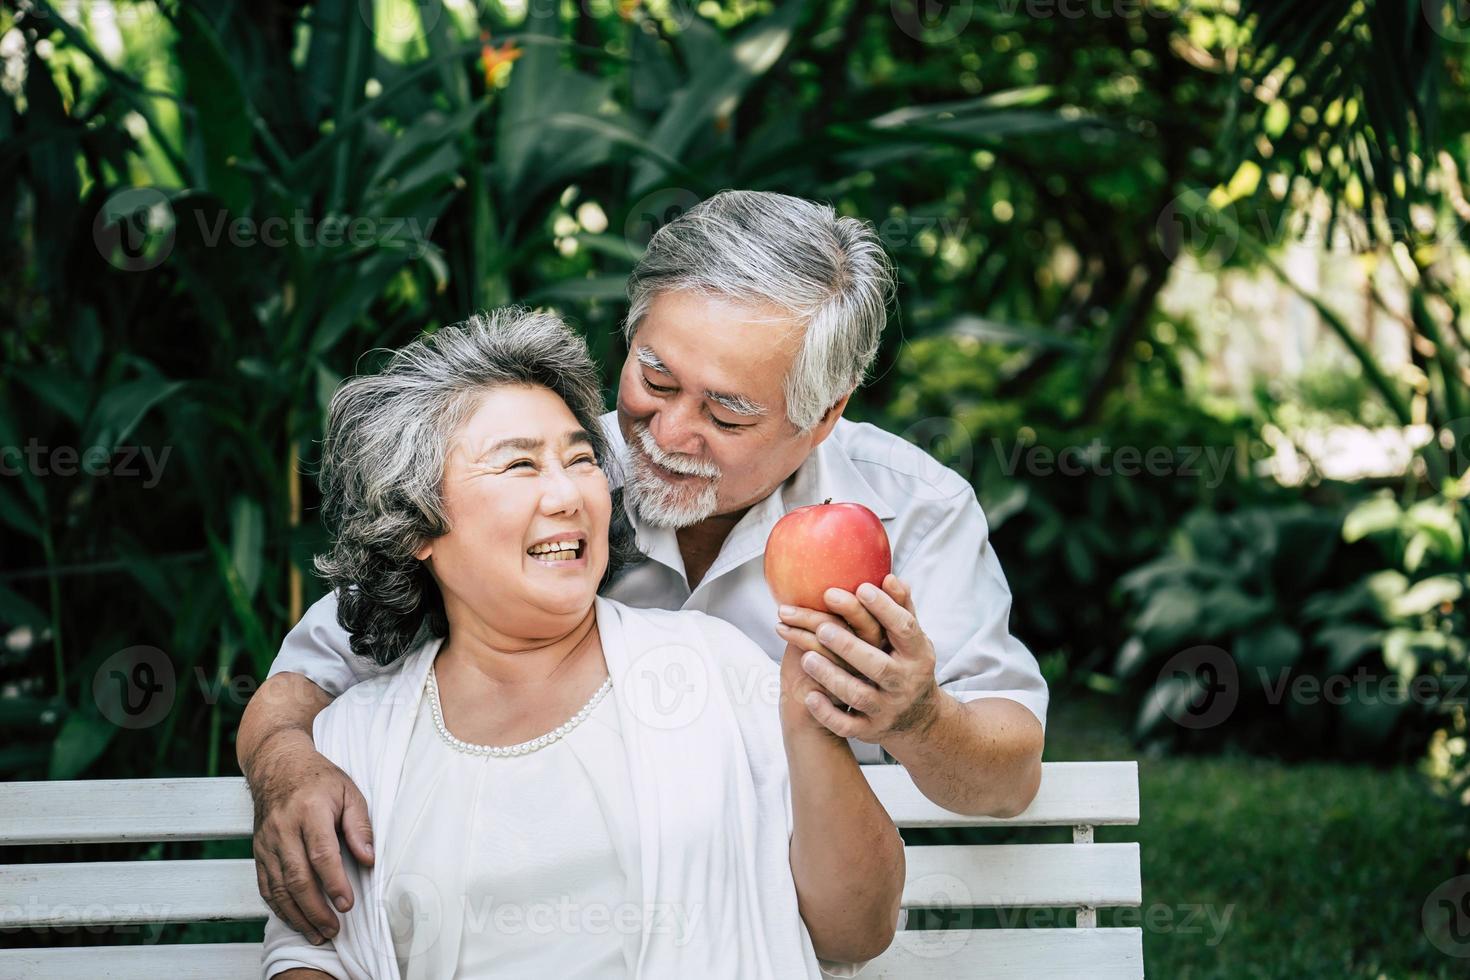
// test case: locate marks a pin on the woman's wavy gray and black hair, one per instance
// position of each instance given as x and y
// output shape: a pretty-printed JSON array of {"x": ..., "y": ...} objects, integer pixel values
[{"x": 383, "y": 465}]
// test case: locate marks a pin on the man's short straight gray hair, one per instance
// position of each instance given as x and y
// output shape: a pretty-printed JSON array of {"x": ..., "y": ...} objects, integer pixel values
[{"x": 797, "y": 255}]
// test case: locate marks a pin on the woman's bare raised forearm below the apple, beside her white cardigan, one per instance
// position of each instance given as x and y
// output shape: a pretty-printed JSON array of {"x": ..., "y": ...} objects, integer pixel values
[{"x": 846, "y": 854}]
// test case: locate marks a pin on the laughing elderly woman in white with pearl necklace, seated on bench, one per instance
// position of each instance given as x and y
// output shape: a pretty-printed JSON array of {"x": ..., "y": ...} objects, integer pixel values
[{"x": 561, "y": 785}]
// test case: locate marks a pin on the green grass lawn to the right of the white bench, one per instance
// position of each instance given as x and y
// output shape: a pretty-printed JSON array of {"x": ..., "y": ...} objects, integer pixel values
[{"x": 1324, "y": 869}]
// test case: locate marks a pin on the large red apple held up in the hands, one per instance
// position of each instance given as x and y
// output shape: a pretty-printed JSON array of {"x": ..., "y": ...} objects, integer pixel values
[{"x": 825, "y": 547}]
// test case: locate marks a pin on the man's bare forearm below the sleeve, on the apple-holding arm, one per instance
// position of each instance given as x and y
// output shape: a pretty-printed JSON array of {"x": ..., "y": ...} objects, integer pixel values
[{"x": 975, "y": 757}]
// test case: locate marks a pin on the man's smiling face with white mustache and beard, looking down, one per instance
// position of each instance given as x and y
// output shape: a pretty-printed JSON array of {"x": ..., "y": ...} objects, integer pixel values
[{"x": 702, "y": 408}]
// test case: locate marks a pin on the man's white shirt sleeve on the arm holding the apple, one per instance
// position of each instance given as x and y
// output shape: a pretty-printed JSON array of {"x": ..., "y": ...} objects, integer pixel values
[{"x": 964, "y": 606}]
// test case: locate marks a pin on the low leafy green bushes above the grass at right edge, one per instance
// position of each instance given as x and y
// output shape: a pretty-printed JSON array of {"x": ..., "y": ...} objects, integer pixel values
[{"x": 1335, "y": 653}]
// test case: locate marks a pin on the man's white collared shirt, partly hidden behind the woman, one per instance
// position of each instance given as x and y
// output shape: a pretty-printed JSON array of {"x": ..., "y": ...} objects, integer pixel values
[{"x": 940, "y": 544}]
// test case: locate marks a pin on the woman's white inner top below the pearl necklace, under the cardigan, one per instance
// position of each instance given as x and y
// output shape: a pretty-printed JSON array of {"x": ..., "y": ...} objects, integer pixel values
[{"x": 533, "y": 882}]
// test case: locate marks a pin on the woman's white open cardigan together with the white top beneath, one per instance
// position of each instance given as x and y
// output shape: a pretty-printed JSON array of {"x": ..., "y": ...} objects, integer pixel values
[{"x": 706, "y": 860}]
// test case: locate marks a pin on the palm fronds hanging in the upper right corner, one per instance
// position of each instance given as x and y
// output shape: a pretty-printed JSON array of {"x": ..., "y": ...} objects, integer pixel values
[{"x": 1350, "y": 117}]
